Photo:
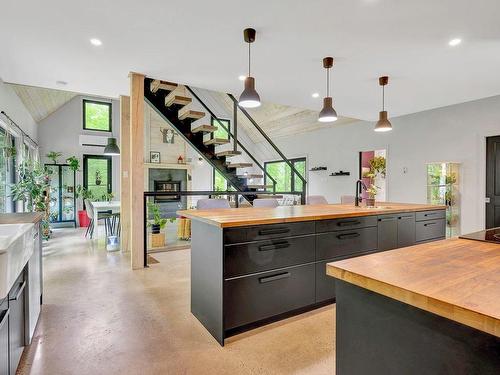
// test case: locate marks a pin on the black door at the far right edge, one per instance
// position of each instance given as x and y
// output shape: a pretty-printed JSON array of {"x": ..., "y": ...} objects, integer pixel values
[{"x": 493, "y": 182}]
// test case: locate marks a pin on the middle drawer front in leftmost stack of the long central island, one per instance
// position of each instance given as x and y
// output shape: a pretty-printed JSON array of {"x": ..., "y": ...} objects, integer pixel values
[{"x": 267, "y": 255}]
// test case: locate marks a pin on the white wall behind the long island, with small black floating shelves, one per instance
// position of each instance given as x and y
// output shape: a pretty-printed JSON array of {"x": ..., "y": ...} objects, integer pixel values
[{"x": 455, "y": 133}]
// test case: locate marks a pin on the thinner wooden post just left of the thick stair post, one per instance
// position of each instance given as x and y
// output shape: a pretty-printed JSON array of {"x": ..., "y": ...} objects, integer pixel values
[{"x": 125, "y": 172}]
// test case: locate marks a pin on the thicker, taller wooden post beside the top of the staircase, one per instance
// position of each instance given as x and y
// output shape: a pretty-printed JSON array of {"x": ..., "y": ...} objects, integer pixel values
[{"x": 136, "y": 172}]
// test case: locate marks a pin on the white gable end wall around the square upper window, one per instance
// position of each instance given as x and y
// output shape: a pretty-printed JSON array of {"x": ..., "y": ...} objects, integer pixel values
[{"x": 61, "y": 130}]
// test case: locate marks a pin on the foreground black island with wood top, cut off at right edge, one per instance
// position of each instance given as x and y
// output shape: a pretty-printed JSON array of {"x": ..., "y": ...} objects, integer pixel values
[{"x": 432, "y": 308}]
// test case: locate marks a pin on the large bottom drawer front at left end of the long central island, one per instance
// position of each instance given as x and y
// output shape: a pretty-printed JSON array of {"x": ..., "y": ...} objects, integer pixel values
[{"x": 252, "y": 298}]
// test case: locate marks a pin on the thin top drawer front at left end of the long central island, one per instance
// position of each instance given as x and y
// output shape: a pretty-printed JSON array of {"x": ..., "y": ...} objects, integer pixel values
[{"x": 265, "y": 232}]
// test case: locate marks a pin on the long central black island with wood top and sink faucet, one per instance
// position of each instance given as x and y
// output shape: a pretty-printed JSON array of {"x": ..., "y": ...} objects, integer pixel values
[{"x": 250, "y": 266}]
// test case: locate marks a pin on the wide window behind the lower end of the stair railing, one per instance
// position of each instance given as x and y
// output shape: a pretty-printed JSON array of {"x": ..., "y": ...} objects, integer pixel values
[{"x": 282, "y": 173}]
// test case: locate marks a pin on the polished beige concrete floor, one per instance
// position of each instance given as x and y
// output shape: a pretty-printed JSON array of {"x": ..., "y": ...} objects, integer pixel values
[{"x": 99, "y": 317}]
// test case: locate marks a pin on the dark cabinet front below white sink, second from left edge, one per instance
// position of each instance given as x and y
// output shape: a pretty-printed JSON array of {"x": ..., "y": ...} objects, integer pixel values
[{"x": 17, "y": 322}]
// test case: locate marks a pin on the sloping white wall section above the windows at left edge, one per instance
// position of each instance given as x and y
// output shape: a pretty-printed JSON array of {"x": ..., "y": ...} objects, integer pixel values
[{"x": 14, "y": 107}]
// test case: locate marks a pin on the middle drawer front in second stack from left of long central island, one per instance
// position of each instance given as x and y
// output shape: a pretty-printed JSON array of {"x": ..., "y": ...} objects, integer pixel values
[{"x": 349, "y": 242}]
